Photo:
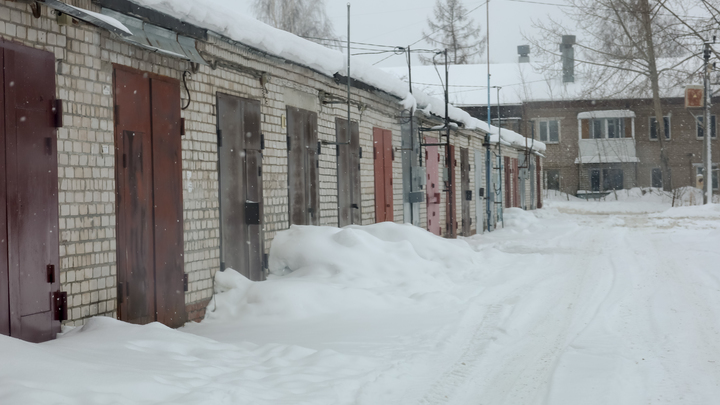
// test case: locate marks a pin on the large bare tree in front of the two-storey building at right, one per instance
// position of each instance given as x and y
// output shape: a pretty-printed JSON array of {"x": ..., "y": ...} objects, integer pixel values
[{"x": 629, "y": 48}]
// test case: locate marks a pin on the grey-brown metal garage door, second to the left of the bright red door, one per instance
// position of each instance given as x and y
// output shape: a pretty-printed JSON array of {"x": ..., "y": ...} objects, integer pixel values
[{"x": 303, "y": 167}]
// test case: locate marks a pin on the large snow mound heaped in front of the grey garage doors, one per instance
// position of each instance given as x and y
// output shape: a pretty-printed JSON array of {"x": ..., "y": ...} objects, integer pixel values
[{"x": 322, "y": 270}]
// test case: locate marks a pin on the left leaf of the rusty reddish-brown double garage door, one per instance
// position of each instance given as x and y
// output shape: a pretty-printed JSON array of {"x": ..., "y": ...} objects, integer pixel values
[{"x": 136, "y": 273}]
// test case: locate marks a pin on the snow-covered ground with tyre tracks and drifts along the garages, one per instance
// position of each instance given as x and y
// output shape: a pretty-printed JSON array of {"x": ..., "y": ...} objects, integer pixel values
[{"x": 579, "y": 303}]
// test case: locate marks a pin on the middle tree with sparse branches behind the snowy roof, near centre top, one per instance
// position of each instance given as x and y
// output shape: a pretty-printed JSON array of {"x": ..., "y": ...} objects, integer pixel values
[{"x": 457, "y": 33}]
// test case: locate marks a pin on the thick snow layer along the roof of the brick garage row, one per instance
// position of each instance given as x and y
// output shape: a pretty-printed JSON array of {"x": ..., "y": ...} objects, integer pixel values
[{"x": 226, "y": 19}]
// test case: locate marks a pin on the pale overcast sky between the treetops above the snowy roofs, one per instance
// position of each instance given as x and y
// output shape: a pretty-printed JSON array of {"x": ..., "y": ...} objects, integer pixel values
[{"x": 401, "y": 22}]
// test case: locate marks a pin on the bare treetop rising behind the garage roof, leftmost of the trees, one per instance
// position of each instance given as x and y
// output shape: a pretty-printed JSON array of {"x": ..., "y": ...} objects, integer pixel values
[{"x": 304, "y": 18}]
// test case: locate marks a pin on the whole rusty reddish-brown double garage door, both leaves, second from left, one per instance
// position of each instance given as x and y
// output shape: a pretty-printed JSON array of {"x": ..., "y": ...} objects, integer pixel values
[{"x": 149, "y": 198}]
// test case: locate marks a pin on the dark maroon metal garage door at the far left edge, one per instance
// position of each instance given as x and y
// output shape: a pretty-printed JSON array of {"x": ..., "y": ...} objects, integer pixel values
[{"x": 29, "y": 252}]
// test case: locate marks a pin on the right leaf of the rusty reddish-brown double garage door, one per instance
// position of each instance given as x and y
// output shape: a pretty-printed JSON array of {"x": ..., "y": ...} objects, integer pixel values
[{"x": 167, "y": 201}]
